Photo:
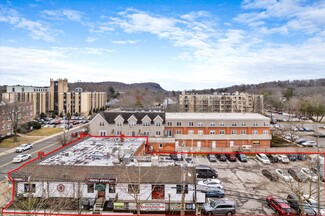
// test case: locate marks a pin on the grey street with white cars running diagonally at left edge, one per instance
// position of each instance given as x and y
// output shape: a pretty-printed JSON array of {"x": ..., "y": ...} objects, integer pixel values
[{"x": 46, "y": 146}]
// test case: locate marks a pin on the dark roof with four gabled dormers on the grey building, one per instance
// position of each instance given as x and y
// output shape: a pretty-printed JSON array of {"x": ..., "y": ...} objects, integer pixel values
[{"x": 111, "y": 116}]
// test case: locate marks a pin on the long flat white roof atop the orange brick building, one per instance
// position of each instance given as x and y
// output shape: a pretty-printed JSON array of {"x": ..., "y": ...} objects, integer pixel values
[{"x": 215, "y": 116}]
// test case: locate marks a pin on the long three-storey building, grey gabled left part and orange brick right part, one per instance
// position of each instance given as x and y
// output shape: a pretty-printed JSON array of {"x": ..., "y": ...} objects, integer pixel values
[{"x": 191, "y": 131}]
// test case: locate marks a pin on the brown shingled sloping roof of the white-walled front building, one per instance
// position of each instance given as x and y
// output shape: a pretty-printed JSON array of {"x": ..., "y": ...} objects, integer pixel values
[{"x": 122, "y": 174}]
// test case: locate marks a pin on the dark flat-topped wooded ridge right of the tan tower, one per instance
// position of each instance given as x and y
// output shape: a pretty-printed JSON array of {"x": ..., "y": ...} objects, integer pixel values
[{"x": 118, "y": 86}]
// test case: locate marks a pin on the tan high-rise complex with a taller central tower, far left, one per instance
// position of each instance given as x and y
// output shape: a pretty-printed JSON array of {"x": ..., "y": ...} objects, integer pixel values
[{"x": 57, "y": 98}]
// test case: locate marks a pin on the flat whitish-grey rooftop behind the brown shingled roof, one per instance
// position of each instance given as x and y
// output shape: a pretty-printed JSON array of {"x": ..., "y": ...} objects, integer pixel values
[{"x": 96, "y": 152}]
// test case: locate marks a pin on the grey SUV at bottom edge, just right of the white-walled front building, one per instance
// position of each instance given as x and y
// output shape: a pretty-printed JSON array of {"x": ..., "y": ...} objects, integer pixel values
[{"x": 218, "y": 207}]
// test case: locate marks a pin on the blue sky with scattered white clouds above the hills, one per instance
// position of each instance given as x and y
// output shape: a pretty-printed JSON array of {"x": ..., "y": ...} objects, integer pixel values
[{"x": 180, "y": 44}]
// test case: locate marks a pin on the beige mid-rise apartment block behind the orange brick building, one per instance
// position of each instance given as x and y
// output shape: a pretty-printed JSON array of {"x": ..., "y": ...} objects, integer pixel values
[{"x": 221, "y": 102}]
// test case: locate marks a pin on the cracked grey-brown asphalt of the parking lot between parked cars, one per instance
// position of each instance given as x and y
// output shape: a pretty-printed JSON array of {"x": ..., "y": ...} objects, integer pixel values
[{"x": 244, "y": 183}]
